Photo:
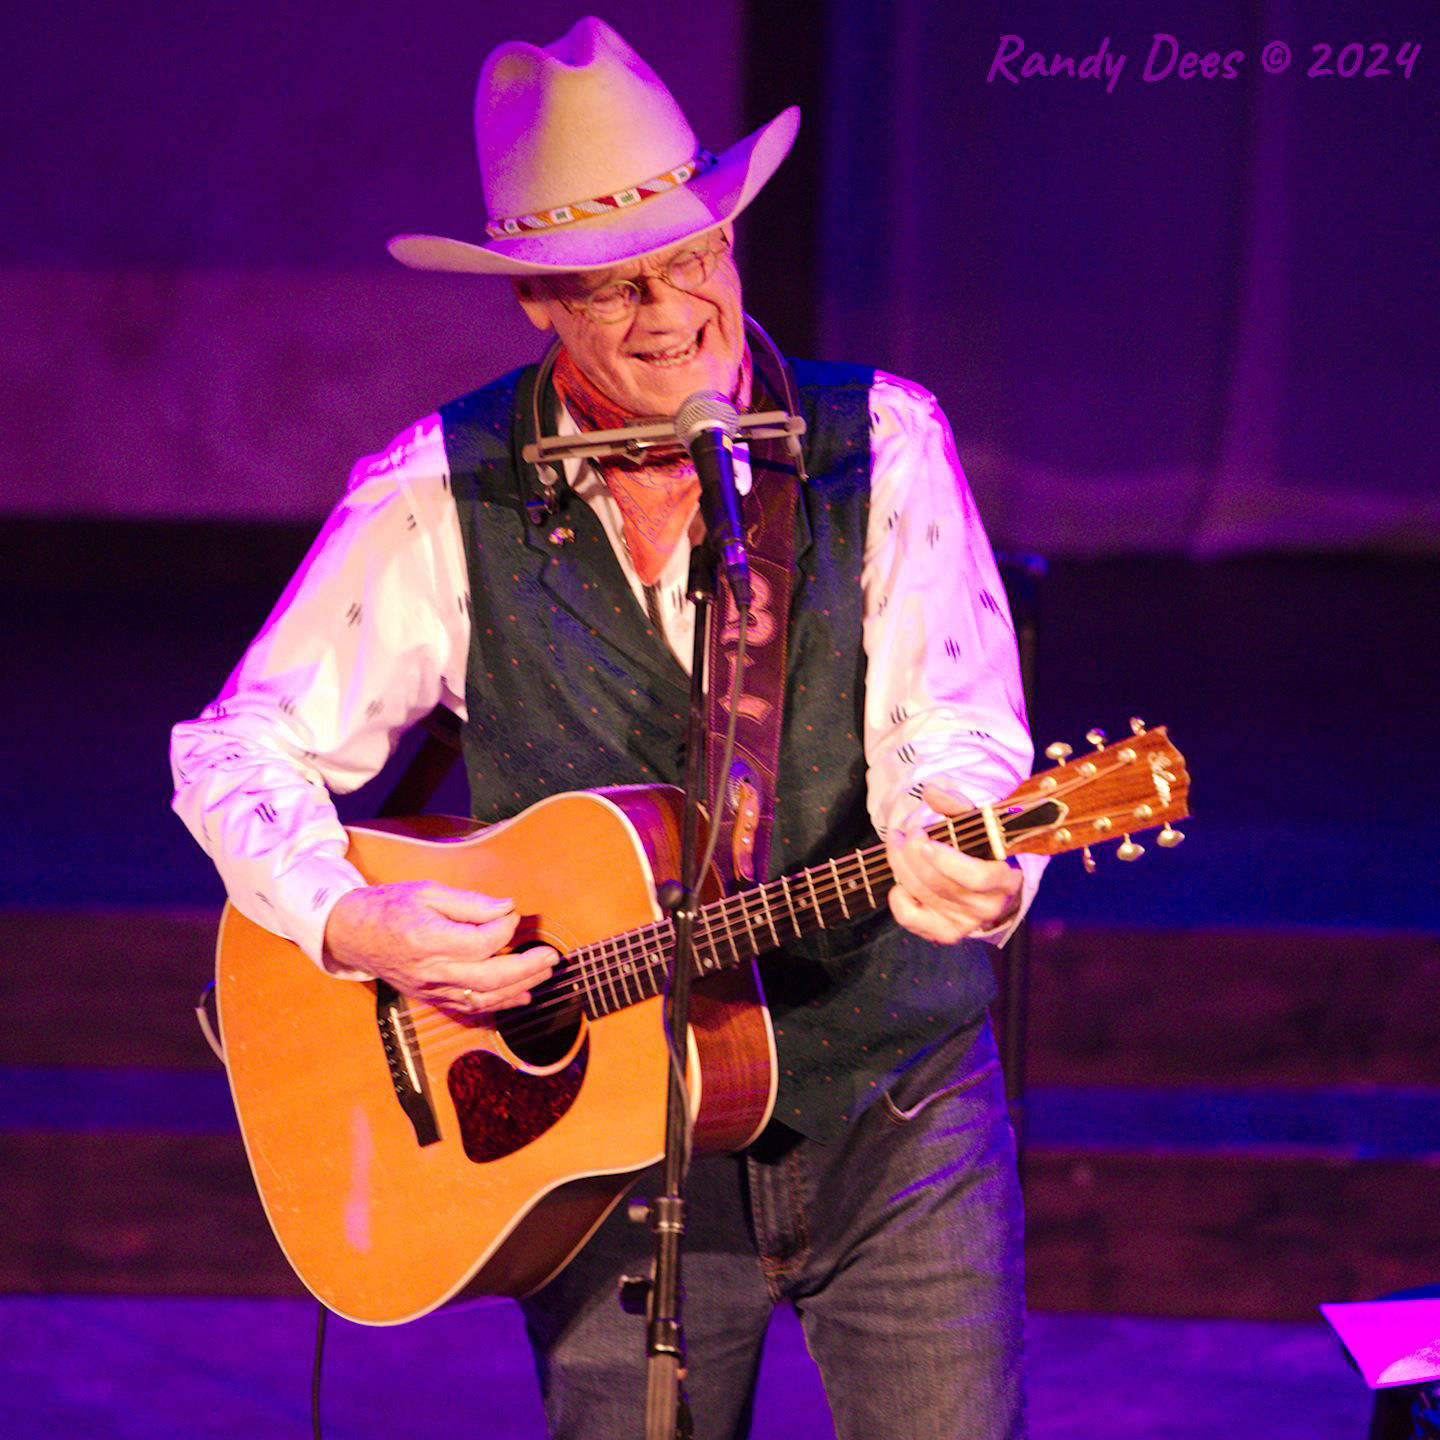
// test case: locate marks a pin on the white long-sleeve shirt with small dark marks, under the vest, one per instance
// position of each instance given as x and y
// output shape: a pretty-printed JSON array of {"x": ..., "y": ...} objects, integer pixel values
[{"x": 369, "y": 639}]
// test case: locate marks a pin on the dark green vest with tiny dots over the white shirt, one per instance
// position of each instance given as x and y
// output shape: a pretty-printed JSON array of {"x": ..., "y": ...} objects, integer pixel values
[{"x": 571, "y": 688}]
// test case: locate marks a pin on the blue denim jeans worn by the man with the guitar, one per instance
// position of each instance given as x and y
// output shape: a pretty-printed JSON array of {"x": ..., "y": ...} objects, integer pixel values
[{"x": 901, "y": 1246}]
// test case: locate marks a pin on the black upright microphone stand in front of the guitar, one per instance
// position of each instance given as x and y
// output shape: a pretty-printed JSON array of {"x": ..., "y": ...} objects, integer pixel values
[{"x": 667, "y": 1410}]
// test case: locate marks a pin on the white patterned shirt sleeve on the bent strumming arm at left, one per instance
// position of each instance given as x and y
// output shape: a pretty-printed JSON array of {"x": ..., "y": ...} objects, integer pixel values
[{"x": 368, "y": 639}]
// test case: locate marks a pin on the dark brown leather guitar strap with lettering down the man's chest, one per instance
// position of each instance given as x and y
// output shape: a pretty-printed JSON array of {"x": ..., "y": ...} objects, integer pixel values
[{"x": 748, "y": 817}]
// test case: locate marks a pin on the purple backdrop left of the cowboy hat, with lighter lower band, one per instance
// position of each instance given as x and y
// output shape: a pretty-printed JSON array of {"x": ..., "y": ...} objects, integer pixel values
[{"x": 199, "y": 313}]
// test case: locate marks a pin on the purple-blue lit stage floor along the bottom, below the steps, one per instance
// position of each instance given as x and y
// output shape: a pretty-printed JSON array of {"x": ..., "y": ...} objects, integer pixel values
[{"x": 240, "y": 1370}]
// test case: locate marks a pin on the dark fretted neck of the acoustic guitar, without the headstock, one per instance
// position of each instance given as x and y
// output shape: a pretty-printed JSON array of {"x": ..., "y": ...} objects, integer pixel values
[{"x": 629, "y": 968}]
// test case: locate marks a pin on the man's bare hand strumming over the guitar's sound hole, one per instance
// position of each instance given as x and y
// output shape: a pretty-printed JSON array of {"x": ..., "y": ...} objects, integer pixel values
[{"x": 437, "y": 944}]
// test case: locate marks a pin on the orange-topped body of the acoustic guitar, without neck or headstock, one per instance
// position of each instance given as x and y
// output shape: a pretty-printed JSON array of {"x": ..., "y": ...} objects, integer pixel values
[{"x": 410, "y": 1161}]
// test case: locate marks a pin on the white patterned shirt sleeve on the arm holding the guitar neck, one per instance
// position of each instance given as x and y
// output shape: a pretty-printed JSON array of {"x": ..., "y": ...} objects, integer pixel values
[{"x": 944, "y": 696}]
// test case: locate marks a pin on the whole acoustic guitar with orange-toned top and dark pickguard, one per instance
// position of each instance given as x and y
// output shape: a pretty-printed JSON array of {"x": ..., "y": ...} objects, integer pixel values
[{"x": 408, "y": 1160}]
